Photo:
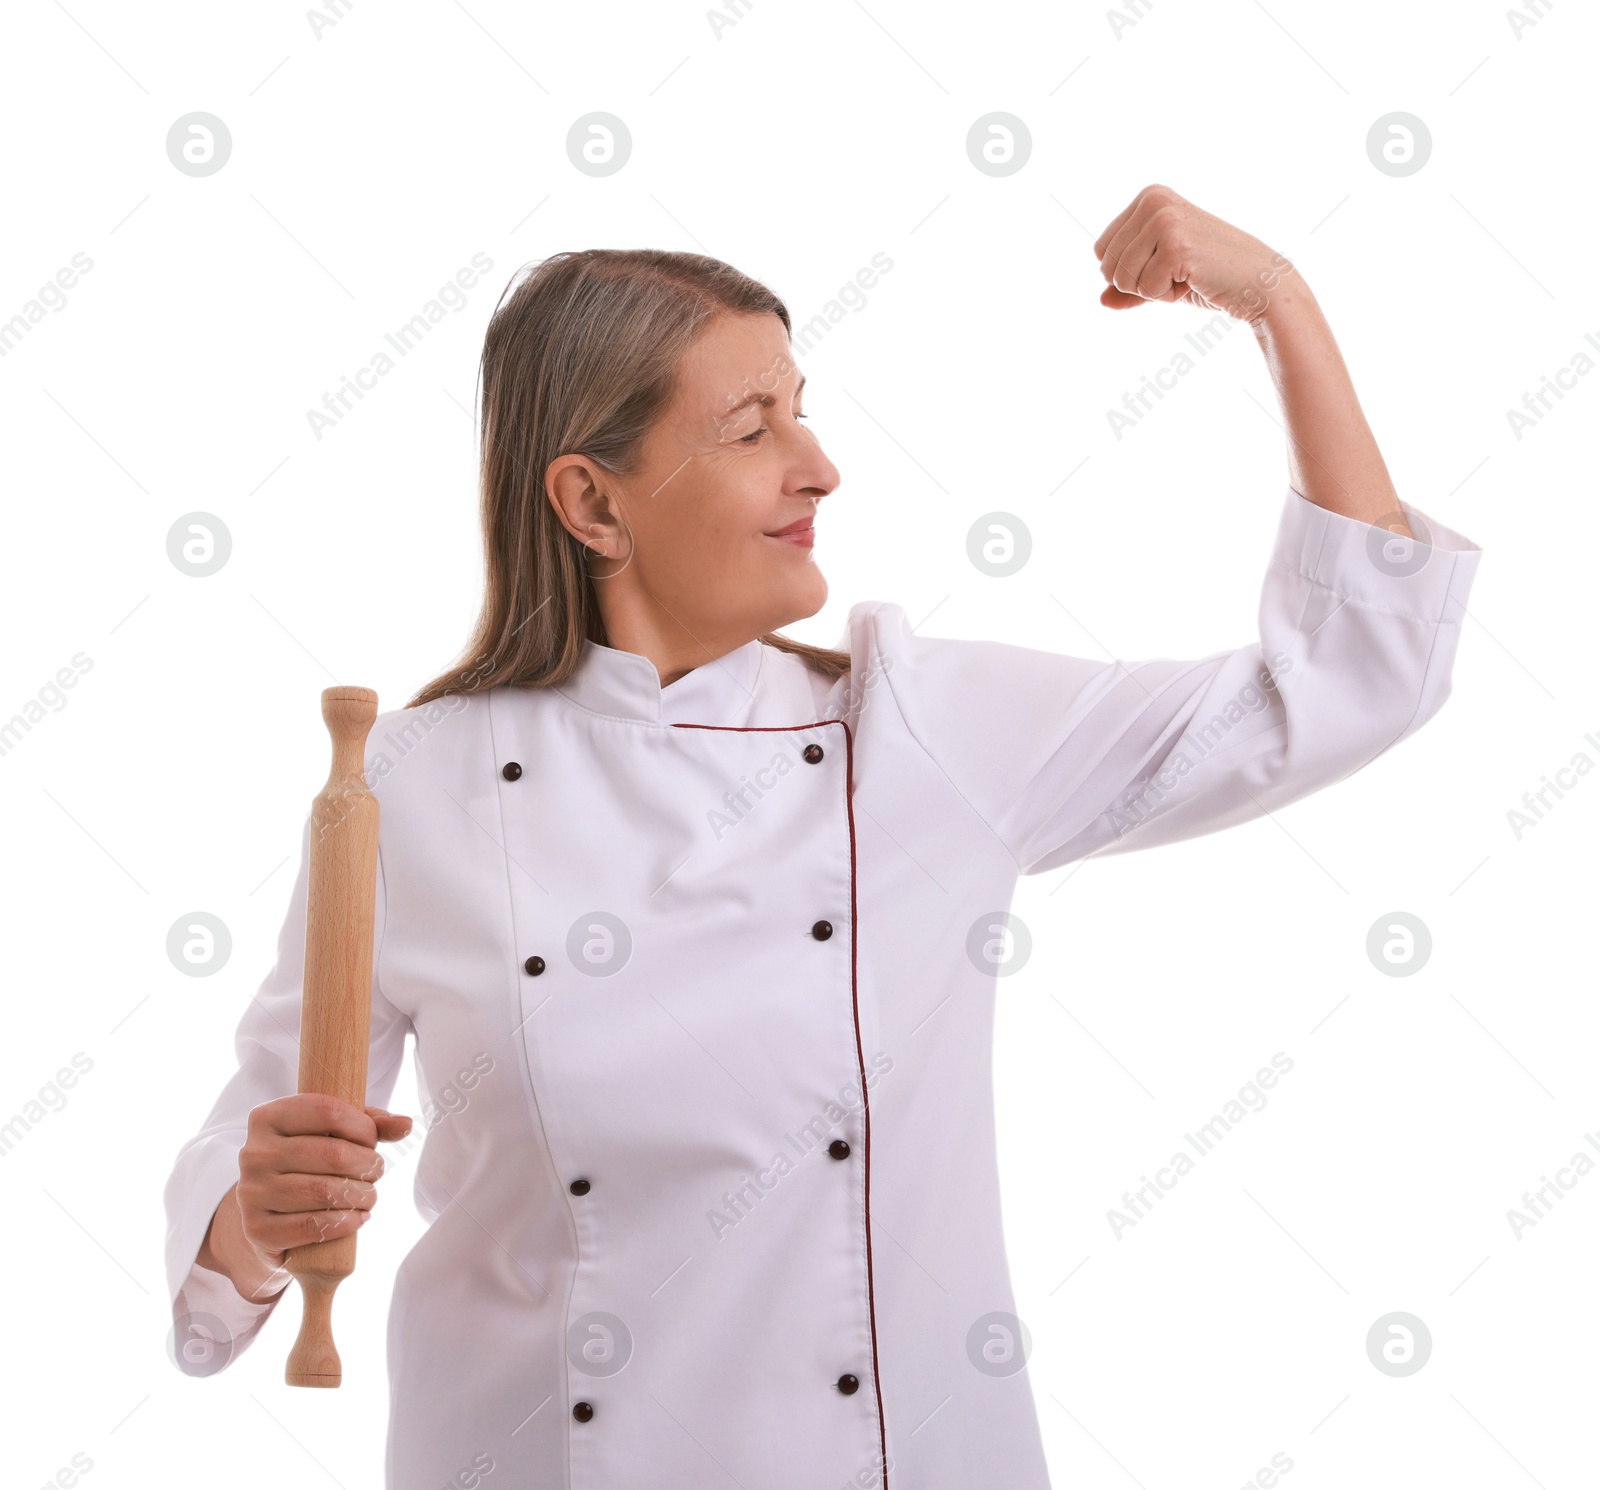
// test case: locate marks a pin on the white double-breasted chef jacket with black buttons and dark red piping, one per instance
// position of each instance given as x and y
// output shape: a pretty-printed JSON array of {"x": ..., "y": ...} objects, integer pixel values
[{"x": 692, "y": 955}]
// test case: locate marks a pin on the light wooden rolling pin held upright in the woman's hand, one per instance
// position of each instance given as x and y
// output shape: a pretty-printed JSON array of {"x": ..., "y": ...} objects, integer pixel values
[{"x": 337, "y": 1004}]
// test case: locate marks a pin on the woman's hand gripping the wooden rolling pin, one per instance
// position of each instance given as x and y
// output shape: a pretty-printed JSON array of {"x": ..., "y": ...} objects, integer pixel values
[{"x": 308, "y": 1171}]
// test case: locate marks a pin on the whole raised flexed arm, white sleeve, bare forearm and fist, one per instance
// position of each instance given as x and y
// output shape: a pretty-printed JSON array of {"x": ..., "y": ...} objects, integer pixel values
[{"x": 1065, "y": 758}]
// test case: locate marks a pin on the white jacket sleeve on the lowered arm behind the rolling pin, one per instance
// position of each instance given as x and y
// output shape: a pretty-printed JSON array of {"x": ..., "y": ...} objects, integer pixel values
[{"x": 214, "y": 1323}]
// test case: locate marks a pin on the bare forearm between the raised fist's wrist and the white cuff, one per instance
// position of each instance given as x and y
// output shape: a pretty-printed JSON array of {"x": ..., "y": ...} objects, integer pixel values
[{"x": 1334, "y": 457}]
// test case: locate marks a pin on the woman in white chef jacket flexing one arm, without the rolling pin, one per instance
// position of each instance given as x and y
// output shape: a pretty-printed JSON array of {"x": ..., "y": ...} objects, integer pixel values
[{"x": 668, "y": 902}]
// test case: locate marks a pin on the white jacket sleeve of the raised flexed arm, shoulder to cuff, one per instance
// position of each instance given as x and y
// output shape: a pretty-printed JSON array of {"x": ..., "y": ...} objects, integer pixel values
[{"x": 1065, "y": 758}]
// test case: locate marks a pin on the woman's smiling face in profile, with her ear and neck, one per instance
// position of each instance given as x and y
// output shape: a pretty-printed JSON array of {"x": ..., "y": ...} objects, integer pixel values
[{"x": 686, "y": 553}]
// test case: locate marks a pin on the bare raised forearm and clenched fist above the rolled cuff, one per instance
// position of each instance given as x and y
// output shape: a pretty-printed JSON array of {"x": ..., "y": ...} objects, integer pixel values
[{"x": 1166, "y": 249}]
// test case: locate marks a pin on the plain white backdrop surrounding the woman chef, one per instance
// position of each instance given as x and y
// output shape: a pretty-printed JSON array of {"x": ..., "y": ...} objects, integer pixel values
[{"x": 369, "y": 164}]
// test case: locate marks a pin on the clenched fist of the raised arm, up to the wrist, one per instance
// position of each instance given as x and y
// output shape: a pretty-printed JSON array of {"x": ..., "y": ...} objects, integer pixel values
[{"x": 1166, "y": 249}]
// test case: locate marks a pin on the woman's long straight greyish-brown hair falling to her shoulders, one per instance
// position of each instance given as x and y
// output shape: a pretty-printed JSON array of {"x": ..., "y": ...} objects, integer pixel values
[{"x": 580, "y": 359}]
